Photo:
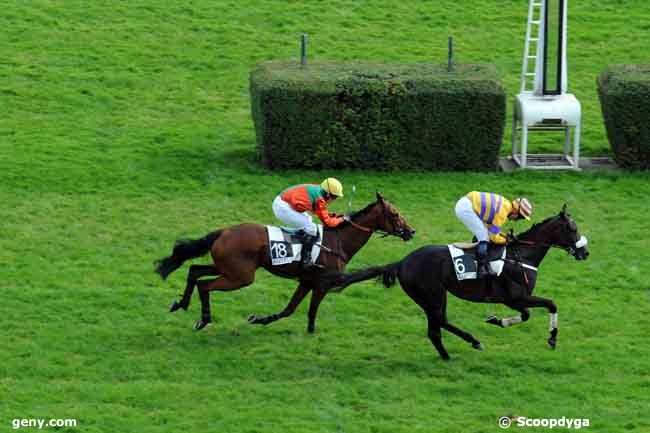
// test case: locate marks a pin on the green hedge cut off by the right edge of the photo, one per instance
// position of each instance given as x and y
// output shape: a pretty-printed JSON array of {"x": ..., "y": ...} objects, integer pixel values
[{"x": 624, "y": 92}]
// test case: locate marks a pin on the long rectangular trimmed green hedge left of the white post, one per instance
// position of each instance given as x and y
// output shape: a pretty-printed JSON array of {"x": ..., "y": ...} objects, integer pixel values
[{"x": 379, "y": 116}]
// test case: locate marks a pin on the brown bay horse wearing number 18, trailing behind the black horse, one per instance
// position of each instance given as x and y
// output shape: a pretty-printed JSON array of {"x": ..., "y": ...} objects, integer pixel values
[{"x": 238, "y": 251}]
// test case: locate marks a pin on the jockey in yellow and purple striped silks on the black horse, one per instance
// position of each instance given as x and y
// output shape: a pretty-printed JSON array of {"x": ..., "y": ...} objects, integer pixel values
[{"x": 483, "y": 213}]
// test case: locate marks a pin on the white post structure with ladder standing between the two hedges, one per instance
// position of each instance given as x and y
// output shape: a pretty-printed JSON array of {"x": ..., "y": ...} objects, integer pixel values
[{"x": 543, "y": 103}]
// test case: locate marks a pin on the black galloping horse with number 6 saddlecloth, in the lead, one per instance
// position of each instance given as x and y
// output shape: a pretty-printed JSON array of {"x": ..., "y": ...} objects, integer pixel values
[{"x": 428, "y": 273}]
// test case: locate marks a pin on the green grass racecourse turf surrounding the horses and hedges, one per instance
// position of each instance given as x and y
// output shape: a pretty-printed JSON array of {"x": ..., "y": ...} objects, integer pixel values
[{"x": 127, "y": 125}]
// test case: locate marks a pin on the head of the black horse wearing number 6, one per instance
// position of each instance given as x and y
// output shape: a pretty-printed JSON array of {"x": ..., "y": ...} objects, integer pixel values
[{"x": 562, "y": 231}]
